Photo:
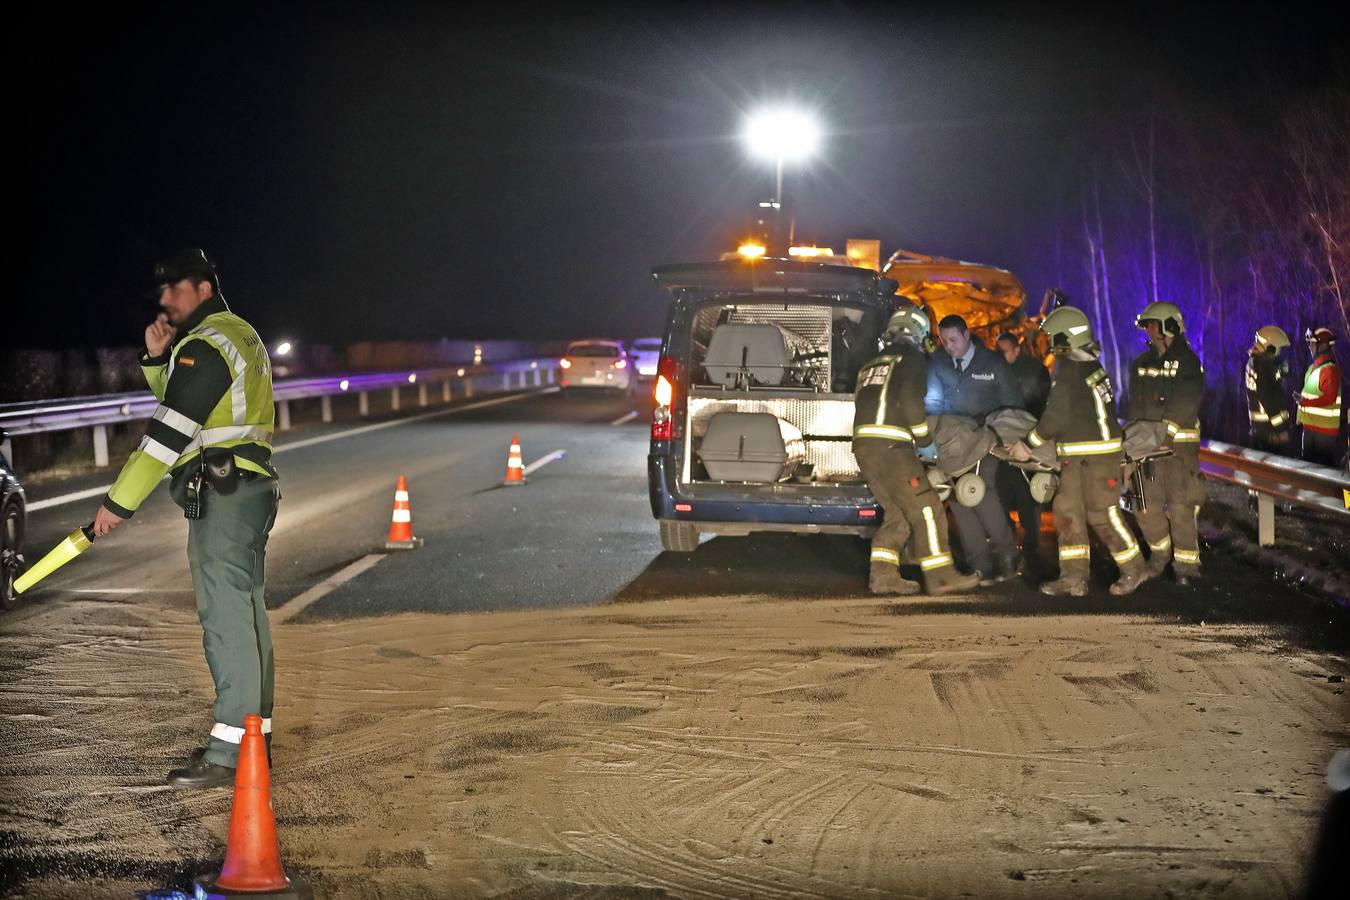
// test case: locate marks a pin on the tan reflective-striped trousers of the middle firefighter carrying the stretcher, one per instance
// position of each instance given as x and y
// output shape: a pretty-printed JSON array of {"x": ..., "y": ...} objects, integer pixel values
[{"x": 1089, "y": 499}]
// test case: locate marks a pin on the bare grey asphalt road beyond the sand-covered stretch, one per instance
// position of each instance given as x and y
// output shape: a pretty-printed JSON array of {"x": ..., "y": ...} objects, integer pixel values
[{"x": 578, "y": 534}]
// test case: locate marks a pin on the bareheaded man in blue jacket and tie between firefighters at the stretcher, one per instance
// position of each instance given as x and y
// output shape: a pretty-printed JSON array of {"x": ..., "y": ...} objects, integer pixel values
[{"x": 974, "y": 381}]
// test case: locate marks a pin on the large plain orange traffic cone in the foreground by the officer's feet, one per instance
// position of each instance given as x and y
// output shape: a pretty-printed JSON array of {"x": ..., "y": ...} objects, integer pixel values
[{"x": 253, "y": 855}]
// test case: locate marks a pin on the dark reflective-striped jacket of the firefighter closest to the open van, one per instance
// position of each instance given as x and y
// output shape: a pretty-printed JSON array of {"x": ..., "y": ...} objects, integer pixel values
[{"x": 889, "y": 403}]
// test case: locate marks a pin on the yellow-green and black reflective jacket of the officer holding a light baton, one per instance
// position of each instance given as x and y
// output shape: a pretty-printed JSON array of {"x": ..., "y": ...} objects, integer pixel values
[{"x": 215, "y": 392}]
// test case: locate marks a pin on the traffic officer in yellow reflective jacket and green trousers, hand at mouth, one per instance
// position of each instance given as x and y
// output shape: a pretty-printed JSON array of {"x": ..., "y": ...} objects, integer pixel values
[{"x": 213, "y": 434}]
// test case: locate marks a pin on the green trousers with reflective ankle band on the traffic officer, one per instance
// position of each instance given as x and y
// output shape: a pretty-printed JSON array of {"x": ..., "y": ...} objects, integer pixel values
[{"x": 226, "y": 554}]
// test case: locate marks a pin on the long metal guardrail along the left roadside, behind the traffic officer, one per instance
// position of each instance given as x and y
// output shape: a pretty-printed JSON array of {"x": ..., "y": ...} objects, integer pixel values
[{"x": 36, "y": 418}]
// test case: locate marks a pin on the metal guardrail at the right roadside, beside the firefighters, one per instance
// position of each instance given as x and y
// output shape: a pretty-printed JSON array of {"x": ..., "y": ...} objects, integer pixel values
[{"x": 1276, "y": 478}]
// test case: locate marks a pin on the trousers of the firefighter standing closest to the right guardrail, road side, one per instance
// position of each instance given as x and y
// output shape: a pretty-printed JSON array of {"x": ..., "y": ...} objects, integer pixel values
[{"x": 1171, "y": 523}]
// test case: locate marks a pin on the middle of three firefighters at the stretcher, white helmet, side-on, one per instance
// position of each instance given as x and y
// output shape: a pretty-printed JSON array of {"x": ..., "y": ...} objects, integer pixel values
[{"x": 1081, "y": 419}]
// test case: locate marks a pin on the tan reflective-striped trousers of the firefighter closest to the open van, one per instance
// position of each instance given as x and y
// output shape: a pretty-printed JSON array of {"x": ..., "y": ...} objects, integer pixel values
[{"x": 898, "y": 482}]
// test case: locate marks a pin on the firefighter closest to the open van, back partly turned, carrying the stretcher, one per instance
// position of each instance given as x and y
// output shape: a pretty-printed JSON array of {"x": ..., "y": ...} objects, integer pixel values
[{"x": 890, "y": 439}]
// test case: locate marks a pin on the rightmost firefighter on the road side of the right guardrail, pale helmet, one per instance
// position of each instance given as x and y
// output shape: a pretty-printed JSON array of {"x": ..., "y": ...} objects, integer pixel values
[{"x": 1167, "y": 385}]
